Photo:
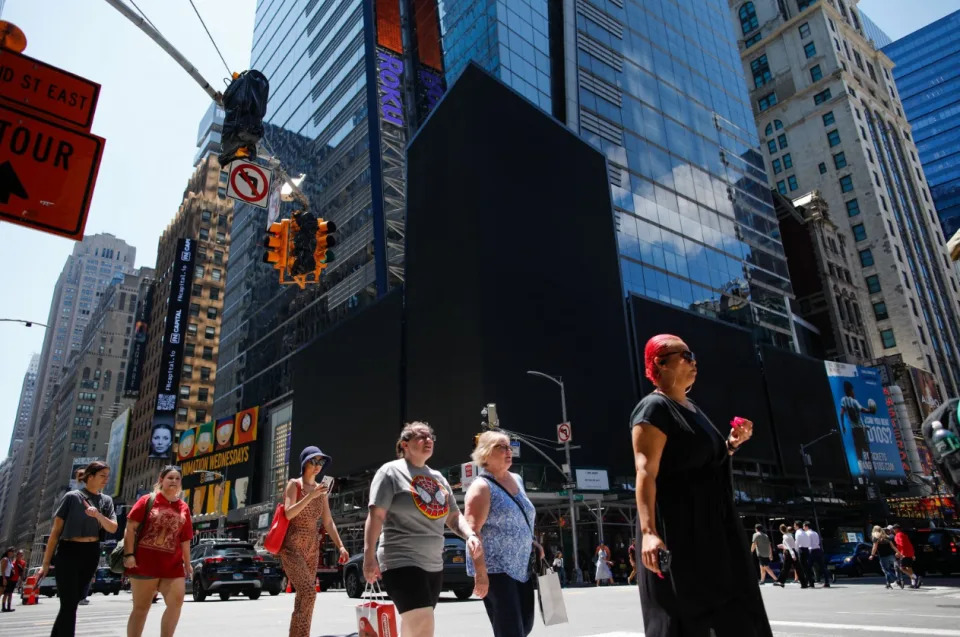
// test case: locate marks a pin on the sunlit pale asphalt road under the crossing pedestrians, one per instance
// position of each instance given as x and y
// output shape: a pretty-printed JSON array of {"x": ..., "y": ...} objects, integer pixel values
[{"x": 852, "y": 608}]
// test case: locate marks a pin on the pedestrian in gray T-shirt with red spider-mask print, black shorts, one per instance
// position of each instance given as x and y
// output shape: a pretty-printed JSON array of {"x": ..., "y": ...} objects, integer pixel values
[{"x": 410, "y": 504}]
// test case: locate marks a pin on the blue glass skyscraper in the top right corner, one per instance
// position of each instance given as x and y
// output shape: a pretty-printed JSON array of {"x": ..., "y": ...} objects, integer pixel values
[{"x": 927, "y": 74}]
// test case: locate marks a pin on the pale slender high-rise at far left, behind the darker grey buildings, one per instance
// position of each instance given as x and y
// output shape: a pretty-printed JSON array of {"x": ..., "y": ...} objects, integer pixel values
[{"x": 87, "y": 273}]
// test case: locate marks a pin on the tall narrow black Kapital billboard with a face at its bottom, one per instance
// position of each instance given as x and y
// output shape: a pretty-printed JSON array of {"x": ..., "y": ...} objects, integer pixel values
[{"x": 171, "y": 357}]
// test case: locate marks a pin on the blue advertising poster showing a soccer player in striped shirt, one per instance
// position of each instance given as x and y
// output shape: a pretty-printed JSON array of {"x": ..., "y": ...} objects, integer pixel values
[{"x": 864, "y": 423}]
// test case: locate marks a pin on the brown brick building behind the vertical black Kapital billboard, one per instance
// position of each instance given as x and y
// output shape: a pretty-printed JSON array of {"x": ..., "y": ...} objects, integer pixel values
[{"x": 204, "y": 217}]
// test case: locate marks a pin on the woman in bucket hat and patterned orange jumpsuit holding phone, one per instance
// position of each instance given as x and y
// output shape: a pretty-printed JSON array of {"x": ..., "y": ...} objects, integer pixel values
[{"x": 306, "y": 502}]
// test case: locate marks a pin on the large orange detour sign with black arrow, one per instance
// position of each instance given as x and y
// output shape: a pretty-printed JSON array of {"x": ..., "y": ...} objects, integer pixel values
[{"x": 47, "y": 173}]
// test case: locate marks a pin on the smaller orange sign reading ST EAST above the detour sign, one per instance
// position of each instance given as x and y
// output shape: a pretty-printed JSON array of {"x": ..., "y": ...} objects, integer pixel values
[{"x": 65, "y": 97}]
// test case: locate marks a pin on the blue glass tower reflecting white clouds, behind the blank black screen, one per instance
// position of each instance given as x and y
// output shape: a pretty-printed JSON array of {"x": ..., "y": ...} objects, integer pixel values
[{"x": 657, "y": 87}]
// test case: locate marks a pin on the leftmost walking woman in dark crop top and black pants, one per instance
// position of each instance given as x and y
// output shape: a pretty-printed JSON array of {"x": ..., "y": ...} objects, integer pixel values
[{"x": 75, "y": 536}]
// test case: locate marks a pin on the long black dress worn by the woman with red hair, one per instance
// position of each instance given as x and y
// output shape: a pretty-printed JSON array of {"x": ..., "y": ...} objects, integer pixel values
[{"x": 711, "y": 589}]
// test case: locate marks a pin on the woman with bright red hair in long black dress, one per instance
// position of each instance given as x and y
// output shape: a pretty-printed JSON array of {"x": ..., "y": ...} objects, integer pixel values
[{"x": 685, "y": 505}]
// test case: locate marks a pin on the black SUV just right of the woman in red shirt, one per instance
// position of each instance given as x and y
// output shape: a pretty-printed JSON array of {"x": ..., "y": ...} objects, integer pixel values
[{"x": 226, "y": 567}]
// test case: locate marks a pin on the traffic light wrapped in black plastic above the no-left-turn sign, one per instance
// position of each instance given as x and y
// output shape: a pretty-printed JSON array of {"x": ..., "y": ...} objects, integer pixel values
[{"x": 245, "y": 106}]
